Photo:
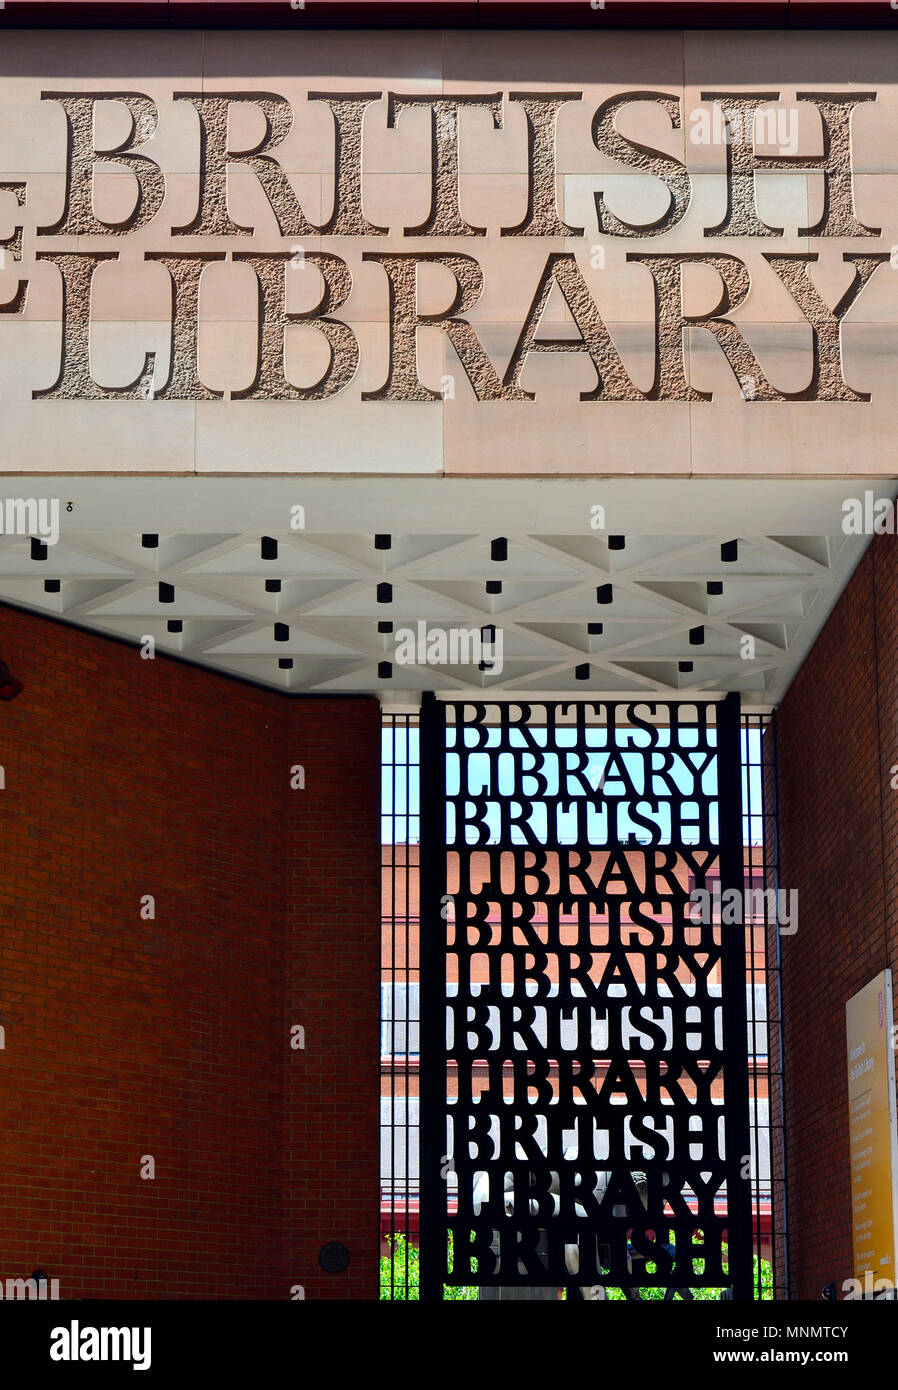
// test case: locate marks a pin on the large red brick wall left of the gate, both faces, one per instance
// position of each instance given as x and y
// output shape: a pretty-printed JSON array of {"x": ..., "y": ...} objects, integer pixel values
[{"x": 170, "y": 1038}]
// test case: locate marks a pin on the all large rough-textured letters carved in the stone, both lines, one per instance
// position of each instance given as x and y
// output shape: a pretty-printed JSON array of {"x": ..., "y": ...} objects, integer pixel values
[{"x": 569, "y": 270}]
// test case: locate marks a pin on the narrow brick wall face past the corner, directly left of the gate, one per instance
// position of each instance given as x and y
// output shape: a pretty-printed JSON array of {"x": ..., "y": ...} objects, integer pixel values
[{"x": 332, "y": 1138}]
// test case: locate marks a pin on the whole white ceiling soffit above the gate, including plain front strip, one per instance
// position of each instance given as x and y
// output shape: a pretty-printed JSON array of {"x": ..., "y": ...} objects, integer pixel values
[{"x": 307, "y": 619}]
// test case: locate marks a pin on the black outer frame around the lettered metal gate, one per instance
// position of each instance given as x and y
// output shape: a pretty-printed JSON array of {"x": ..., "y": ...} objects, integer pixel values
[{"x": 433, "y": 1028}]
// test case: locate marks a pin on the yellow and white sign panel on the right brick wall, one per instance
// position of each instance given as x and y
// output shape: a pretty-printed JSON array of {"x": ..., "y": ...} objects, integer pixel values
[{"x": 870, "y": 1024}]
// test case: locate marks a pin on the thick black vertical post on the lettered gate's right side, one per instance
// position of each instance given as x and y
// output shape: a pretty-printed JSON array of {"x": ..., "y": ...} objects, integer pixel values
[{"x": 733, "y": 992}]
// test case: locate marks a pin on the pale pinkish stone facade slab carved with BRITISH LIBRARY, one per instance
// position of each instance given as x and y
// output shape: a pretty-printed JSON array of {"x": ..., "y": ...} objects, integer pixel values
[{"x": 448, "y": 254}]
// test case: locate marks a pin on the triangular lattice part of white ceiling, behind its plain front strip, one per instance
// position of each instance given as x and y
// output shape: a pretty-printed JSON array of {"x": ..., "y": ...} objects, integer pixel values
[{"x": 580, "y": 614}]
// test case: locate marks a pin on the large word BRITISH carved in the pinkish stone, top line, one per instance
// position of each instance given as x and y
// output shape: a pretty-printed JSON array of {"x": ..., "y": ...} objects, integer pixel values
[{"x": 446, "y": 218}]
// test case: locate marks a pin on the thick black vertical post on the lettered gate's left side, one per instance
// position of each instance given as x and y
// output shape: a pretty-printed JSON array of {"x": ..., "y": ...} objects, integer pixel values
[{"x": 433, "y": 999}]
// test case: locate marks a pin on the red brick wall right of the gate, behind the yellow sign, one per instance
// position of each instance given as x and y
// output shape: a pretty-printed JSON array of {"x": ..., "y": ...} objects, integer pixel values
[{"x": 838, "y": 739}]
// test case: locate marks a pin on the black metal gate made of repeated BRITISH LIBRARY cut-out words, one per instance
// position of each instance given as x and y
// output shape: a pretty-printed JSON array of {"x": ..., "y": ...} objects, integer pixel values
[{"x": 585, "y": 1058}]
